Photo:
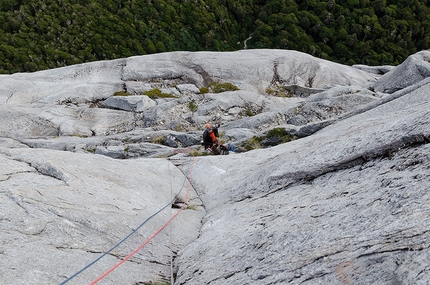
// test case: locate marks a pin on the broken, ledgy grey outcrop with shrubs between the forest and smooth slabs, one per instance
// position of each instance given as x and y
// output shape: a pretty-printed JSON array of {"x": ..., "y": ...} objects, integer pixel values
[{"x": 80, "y": 101}]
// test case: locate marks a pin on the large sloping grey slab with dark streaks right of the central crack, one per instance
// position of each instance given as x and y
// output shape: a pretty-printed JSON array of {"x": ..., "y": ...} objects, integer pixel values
[{"x": 343, "y": 206}]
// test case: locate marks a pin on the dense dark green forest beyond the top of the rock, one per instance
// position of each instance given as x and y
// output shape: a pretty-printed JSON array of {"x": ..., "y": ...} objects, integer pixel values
[{"x": 46, "y": 34}]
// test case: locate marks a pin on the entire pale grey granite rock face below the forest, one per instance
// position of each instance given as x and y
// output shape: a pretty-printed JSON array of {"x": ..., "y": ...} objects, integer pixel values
[{"x": 346, "y": 201}]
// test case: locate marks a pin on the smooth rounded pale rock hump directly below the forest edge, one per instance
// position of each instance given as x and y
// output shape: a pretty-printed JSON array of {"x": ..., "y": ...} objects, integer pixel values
[{"x": 266, "y": 66}]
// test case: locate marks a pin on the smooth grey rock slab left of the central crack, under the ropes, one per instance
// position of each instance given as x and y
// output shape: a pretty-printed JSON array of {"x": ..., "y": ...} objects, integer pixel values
[{"x": 62, "y": 210}]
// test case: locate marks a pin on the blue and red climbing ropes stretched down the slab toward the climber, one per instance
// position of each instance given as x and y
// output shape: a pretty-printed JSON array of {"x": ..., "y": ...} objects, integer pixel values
[{"x": 135, "y": 230}]
